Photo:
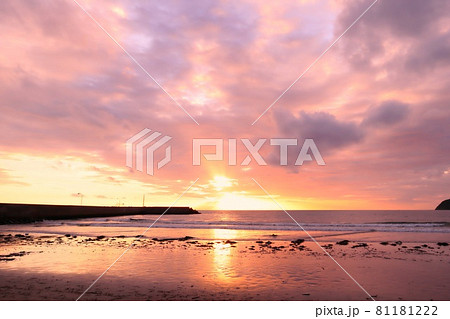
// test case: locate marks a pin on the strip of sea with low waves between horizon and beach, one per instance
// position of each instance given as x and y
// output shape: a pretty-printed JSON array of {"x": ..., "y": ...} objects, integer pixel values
[{"x": 220, "y": 224}]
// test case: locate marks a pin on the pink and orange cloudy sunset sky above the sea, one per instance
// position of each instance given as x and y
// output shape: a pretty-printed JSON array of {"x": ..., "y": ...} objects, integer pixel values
[{"x": 377, "y": 104}]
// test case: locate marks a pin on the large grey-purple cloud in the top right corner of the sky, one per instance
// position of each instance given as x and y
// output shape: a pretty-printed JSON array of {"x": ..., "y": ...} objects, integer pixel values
[{"x": 394, "y": 34}]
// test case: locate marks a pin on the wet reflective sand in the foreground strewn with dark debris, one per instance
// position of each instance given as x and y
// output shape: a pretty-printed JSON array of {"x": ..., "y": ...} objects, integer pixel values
[{"x": 61, "y": 267}]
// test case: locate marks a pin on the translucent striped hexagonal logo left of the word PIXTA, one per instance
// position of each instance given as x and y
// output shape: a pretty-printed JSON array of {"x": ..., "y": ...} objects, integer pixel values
[{"x": 141, "y": 142}]
